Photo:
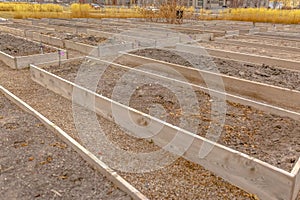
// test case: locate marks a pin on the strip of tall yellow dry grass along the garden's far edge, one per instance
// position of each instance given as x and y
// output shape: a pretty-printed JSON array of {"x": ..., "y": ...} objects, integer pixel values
[{"x": 166, "y": 13}]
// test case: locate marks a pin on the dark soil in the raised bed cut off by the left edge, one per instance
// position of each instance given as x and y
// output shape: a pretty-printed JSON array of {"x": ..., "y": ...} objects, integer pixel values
[{"x": 16, "y": 46}]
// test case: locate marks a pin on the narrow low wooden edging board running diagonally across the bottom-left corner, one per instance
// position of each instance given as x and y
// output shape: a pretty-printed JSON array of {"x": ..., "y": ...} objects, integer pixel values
[{"x": 84, "y": 153}]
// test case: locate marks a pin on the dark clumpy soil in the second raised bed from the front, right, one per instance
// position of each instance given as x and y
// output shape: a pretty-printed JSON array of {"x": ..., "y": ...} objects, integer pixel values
[{"x": 259, "y": 73}]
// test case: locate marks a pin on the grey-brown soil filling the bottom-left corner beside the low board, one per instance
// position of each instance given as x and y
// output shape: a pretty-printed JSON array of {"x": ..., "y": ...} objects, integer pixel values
[{"x": 35, "y": 164}]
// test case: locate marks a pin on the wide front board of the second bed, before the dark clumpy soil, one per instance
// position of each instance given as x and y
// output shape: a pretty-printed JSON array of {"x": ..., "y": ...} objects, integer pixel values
[{"x": 235, "y": 86}]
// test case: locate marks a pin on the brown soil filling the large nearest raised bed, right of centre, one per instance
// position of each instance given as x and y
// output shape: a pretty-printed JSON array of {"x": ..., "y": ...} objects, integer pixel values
[{"x": 246, "y": 129}]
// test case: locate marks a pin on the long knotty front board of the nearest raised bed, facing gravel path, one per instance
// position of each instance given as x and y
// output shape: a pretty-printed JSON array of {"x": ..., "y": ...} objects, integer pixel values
[{"x": 239, "y": 169}]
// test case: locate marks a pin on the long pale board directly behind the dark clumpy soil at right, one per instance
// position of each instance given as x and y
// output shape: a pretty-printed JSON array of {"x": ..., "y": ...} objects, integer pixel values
[{"x": 281, "y": 63}]
